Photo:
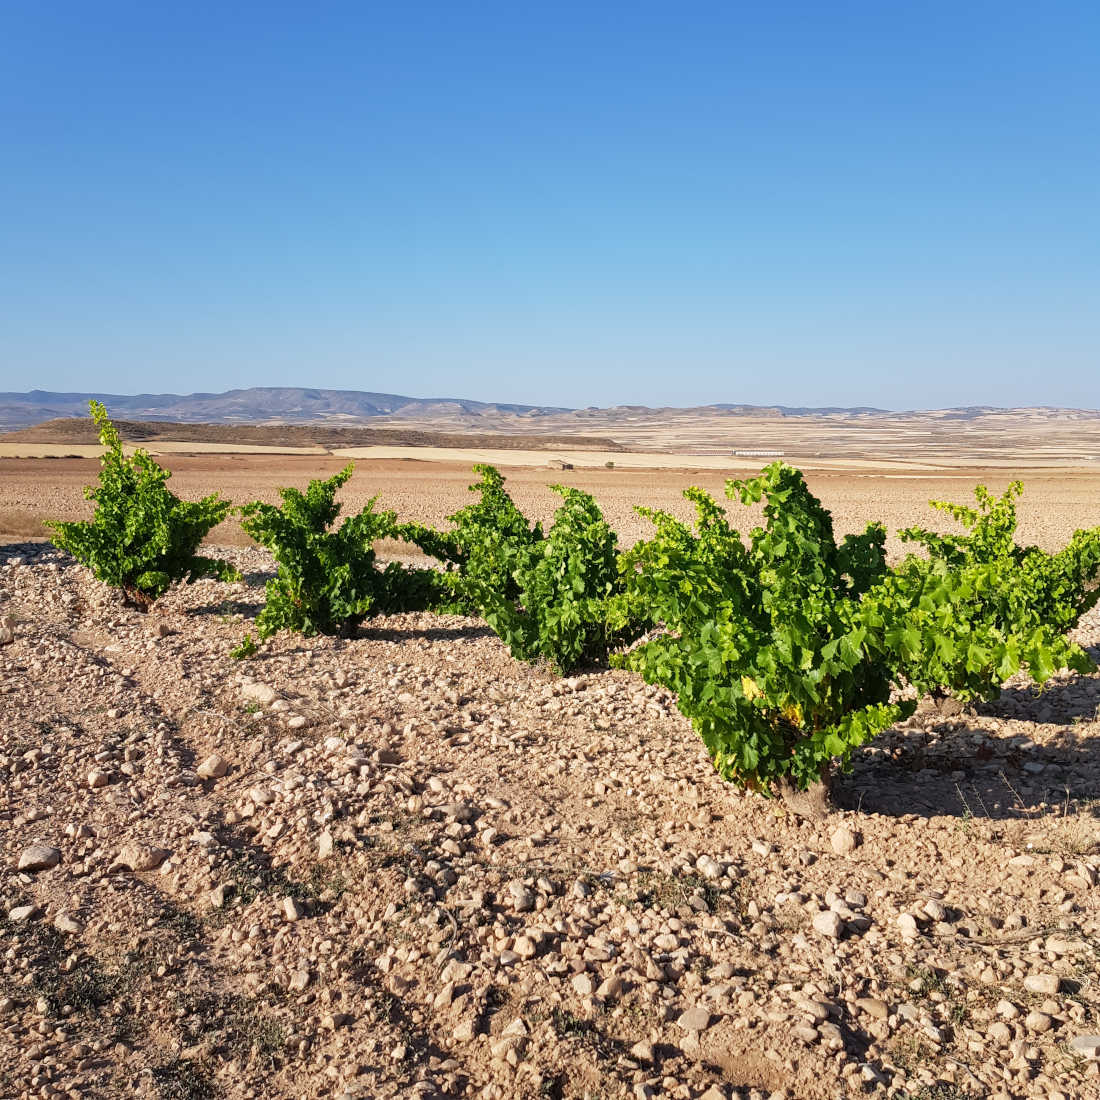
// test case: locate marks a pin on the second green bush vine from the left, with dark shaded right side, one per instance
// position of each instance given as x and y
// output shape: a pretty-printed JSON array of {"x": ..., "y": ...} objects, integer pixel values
[{"x": 328, "y": 581}]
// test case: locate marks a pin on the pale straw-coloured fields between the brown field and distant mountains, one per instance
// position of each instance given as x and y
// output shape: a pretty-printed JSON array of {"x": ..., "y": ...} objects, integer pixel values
[{"x": 947, "y": 439}]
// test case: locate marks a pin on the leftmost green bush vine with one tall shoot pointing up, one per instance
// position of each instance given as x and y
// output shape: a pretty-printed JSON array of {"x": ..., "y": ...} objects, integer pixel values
[{"x": 142, "y": 538}]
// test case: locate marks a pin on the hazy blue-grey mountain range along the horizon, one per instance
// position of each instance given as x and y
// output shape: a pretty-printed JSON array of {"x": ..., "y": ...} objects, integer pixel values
[{"x": 294, "y": 405}]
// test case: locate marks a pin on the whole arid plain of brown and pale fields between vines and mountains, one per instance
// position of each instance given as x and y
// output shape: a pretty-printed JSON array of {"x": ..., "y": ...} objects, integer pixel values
[{"x": 883, "y": 467}]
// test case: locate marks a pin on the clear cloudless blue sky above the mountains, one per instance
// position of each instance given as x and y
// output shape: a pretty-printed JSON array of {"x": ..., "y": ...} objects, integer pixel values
[{"x": 802, "y": 204}]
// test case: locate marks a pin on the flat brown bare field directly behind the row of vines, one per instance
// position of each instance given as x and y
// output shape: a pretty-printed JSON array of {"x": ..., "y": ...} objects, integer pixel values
[{"x": 1055, "y": 503}]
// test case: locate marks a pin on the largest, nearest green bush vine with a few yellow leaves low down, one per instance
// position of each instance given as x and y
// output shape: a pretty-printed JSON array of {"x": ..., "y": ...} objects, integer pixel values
[{"x": 766, "y": 650}]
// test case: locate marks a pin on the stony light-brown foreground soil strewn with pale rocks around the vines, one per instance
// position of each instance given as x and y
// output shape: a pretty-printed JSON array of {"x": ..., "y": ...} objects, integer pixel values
[{"x": 409, "y": 866}]
